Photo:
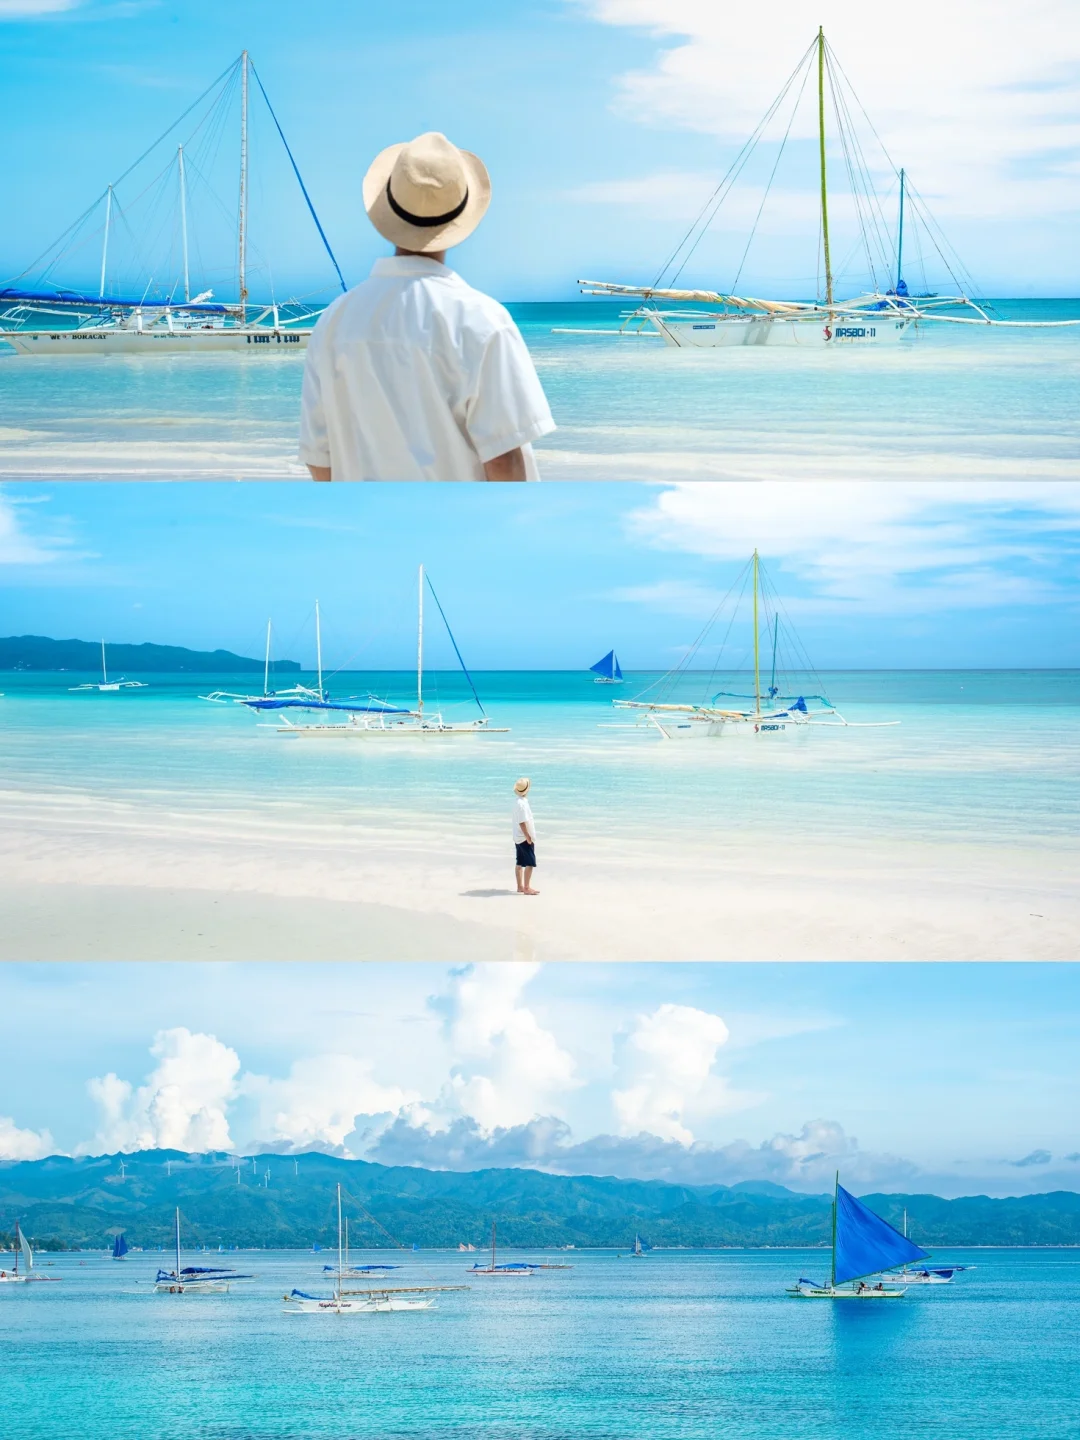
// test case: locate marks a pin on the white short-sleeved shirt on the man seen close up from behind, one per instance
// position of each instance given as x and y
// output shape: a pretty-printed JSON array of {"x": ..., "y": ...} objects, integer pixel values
[{"x": 414, "y": 375}]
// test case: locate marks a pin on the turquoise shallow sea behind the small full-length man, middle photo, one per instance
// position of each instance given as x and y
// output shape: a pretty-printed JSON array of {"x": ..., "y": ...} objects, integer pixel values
[{"x": 978, "y": 757}]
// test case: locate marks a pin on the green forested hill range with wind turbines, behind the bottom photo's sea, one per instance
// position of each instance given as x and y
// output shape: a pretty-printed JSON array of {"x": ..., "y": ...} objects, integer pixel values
[{"x": 280, "y": 1202}]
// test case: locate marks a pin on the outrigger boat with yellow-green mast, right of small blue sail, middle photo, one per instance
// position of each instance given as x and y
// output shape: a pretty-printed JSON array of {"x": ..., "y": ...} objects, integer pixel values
[{"x": 767, "y": 712}]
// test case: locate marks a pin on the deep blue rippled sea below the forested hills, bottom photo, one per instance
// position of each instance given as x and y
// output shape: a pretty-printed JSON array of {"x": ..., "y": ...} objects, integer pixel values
[{"x": 683, "y": 1346}]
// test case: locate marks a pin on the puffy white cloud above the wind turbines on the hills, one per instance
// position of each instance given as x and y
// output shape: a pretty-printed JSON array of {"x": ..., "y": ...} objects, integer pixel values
[{"x": 181, "y": 1107}]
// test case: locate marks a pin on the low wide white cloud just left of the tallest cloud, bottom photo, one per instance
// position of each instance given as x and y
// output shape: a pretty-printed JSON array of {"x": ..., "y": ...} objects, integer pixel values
[{"x": 319, "y": 1102}]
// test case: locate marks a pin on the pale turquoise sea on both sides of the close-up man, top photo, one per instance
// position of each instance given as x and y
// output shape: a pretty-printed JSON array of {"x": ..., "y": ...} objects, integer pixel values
[{"x": 957, "y": 402}]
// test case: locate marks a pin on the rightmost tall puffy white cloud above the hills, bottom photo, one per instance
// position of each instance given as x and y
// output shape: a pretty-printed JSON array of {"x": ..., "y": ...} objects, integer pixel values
[{"x": 665, "y": 1069}]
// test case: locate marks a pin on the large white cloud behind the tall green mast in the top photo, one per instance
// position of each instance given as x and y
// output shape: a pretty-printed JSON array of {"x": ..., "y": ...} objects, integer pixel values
[{"x": 990, "y": 93}]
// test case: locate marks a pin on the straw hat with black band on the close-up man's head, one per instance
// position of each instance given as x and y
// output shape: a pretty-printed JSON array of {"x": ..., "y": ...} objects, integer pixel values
[{"x": 427, "y": 195}]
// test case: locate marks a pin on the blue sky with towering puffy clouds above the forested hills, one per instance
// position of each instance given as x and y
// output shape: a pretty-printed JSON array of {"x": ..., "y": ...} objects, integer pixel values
[{"x": 950, "y": 1078}]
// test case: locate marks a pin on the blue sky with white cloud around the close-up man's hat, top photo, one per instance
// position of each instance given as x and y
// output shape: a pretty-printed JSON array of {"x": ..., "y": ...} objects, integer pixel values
[{"x": 606, "y": 125}]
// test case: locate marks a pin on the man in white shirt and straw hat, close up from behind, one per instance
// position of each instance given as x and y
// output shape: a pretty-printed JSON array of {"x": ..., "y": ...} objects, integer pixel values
[{"x": 414, "y": 375}]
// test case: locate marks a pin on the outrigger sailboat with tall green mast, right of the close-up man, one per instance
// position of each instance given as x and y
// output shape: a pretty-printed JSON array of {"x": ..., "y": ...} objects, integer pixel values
[{"x": 885, "y": 313}]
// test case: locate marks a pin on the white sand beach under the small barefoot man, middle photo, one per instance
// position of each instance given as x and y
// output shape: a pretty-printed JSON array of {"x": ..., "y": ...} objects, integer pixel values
[{"x": 155, "y": 883}]
